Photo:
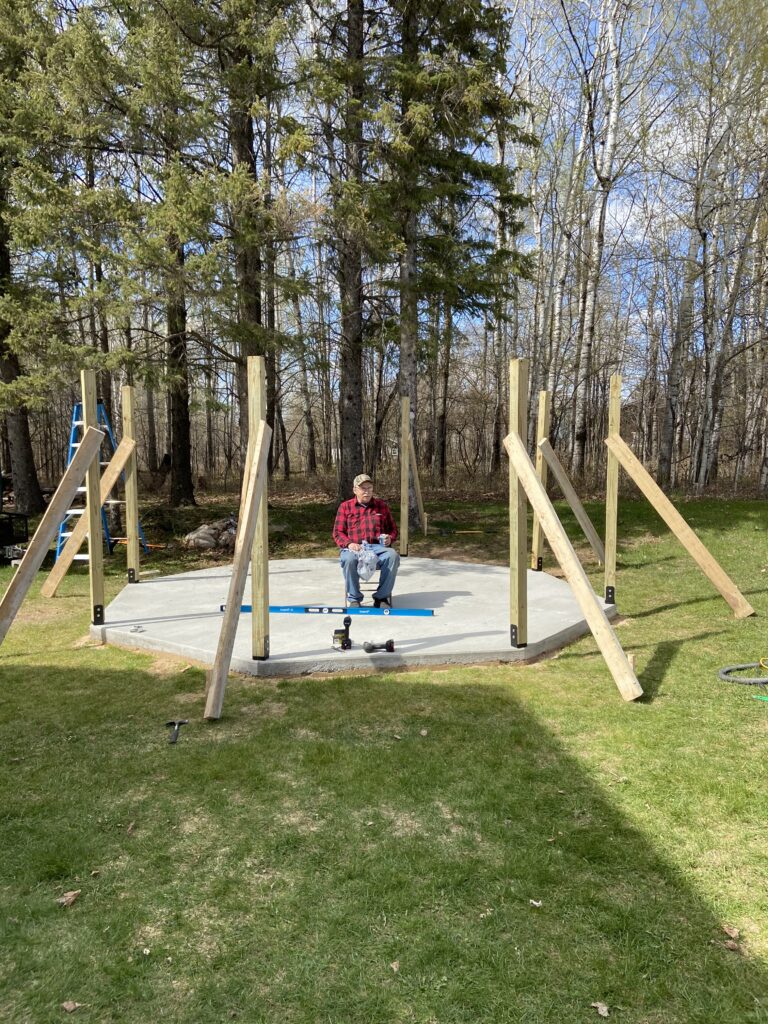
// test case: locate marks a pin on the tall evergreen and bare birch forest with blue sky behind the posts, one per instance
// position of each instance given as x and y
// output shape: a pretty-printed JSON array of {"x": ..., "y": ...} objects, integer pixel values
[{"x": 385, "y": 199}]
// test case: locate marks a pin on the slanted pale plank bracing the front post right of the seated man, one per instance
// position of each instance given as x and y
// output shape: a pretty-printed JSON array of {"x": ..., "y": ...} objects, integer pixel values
[{"x": 598, "y": 621}]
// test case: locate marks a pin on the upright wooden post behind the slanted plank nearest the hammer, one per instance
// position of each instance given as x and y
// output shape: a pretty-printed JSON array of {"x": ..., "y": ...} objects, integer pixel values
[{"x": 261, "y": 550}]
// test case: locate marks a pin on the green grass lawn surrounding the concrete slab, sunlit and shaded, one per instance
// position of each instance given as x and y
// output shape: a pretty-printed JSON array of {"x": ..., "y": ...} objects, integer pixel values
[{"x": 314, "y": 858}]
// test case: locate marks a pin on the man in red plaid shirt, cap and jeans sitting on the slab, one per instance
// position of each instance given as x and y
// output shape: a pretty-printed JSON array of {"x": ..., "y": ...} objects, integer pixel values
[{"x": 367, "y": 519}]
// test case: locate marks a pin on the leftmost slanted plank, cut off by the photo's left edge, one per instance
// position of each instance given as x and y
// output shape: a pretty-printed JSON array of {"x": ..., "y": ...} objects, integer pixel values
[{"x": 47, "y": 532}]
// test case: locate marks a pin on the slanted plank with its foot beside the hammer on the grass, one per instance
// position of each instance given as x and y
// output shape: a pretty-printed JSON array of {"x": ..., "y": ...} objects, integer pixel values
[{"x": 217, "y": 681}]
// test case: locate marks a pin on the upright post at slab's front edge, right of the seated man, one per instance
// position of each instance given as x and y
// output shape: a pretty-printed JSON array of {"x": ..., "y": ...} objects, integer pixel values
[{"x": 519, "y": 596}]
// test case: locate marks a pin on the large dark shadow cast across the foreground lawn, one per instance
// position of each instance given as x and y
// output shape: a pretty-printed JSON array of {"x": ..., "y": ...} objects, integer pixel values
[{"x": 357, "y": 849}]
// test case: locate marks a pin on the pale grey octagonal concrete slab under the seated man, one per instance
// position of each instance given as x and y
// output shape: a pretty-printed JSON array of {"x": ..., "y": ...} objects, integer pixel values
[{"x": 181, "y": 615}]
